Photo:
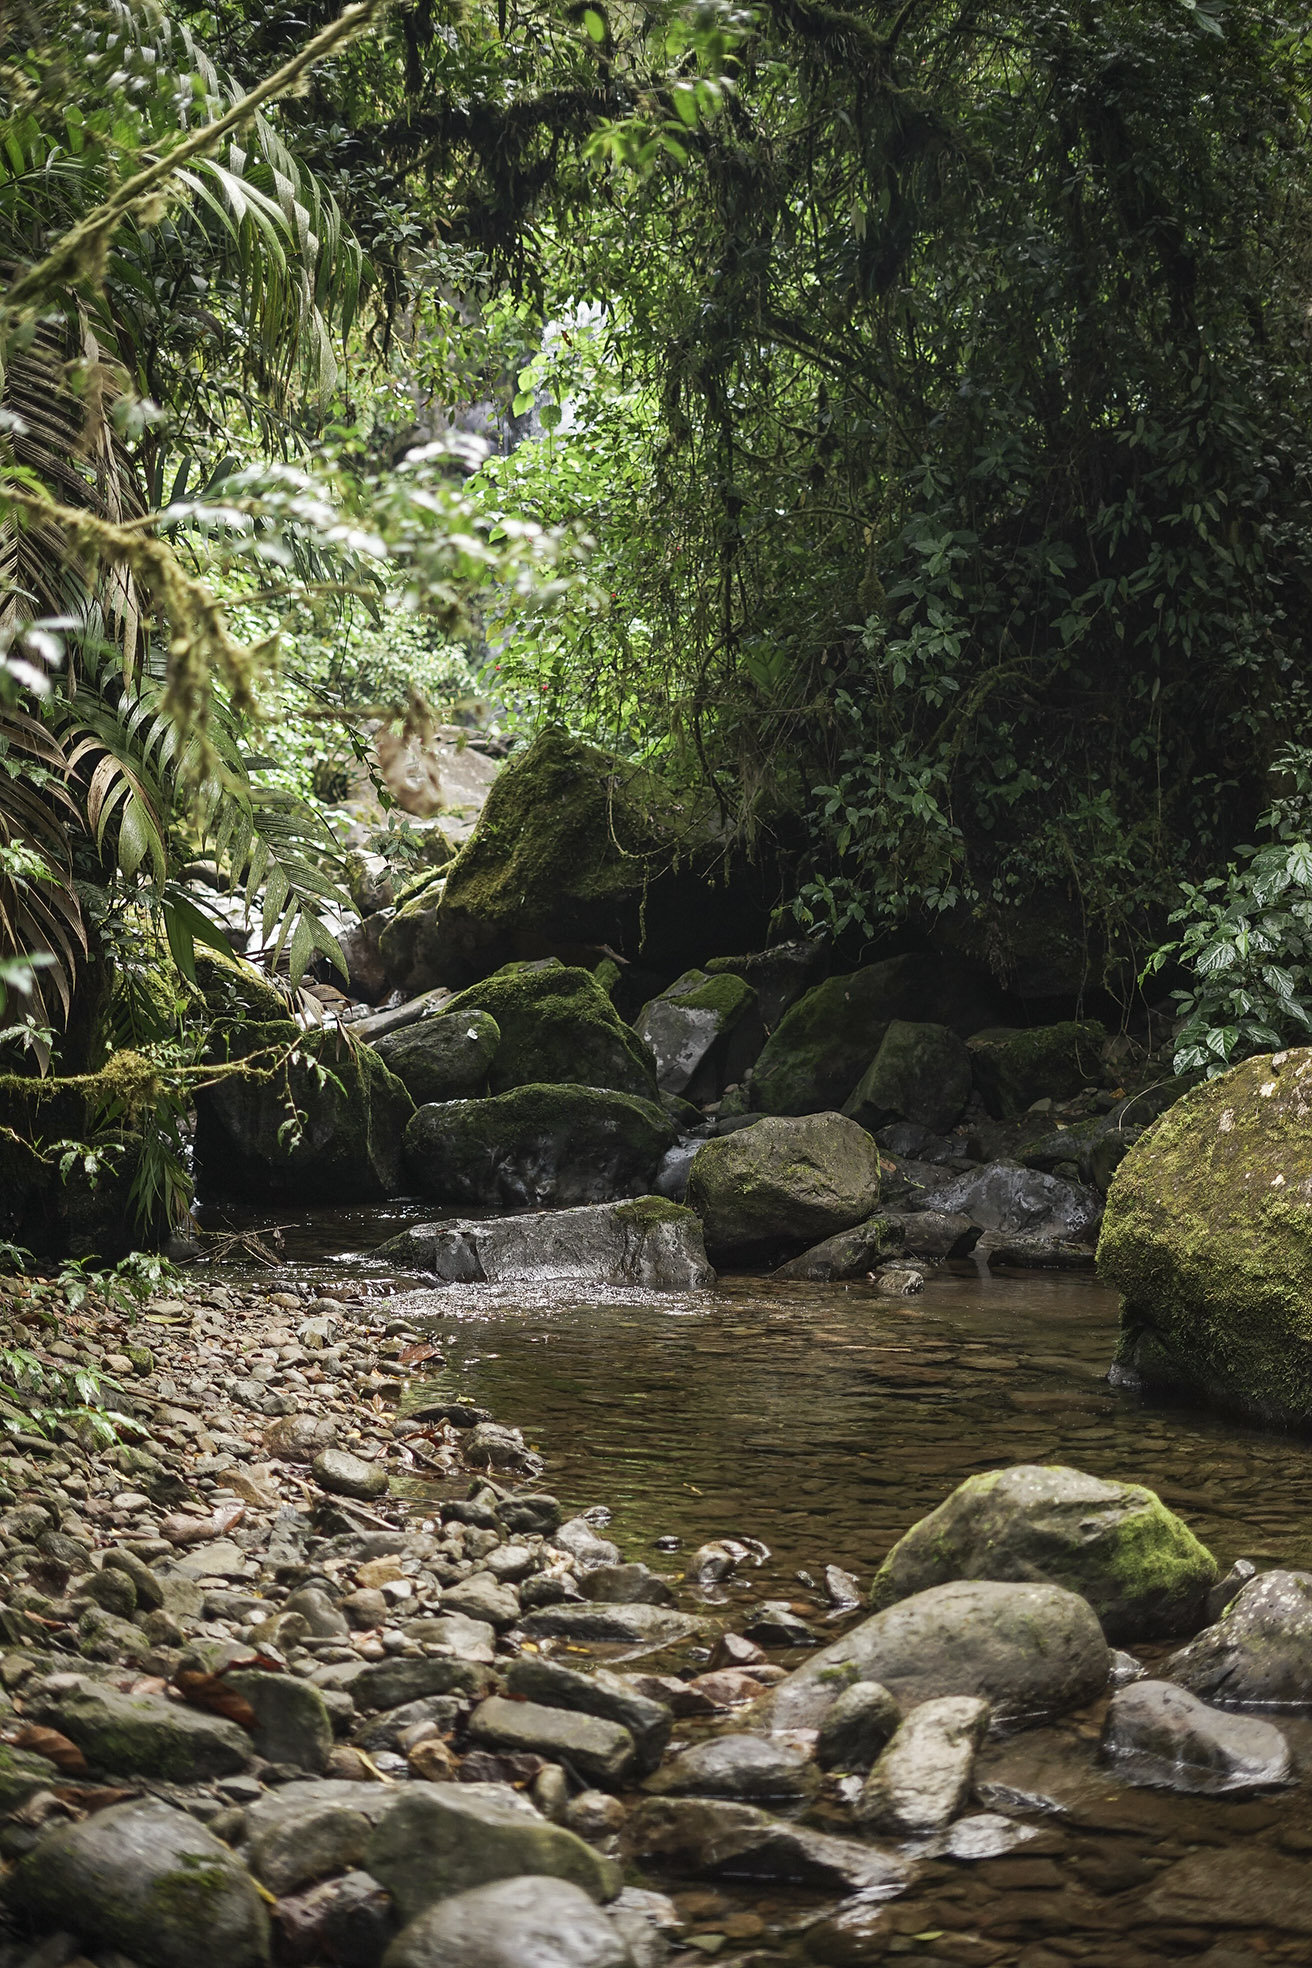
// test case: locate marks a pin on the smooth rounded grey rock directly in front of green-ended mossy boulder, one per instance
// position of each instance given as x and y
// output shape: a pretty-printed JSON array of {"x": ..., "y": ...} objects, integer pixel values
[{"x": 1030, "y": 1650}]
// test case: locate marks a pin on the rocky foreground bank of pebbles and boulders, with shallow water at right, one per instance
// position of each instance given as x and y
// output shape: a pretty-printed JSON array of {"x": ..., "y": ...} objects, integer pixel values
[{"x": 310, "y": 1672}]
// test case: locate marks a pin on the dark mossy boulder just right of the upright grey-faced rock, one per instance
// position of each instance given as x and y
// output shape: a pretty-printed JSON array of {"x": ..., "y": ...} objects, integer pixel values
[{"x": 829, "y": 1038}]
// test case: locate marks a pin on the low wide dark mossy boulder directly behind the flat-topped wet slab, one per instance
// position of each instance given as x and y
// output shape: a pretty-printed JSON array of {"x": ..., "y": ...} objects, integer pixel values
[{"x": 538, "y": 1148}]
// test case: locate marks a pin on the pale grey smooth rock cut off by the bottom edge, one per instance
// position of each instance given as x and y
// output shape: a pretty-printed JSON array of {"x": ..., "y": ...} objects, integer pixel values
[{"x": 512, "y": 1924}]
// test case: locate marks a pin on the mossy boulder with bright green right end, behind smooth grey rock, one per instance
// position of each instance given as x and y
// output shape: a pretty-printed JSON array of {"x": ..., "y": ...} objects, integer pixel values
[{"x": 1140, "y": 1568}]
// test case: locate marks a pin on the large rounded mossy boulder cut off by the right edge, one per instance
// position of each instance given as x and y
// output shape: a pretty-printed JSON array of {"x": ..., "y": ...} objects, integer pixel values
[{"x": 1209, "y": 1239}]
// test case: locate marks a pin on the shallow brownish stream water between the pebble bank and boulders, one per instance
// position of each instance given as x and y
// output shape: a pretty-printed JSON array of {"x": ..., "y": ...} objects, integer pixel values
[{"x": 827, "y": 1420}]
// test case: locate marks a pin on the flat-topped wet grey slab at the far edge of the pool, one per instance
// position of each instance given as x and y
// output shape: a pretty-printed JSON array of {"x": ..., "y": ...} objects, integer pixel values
[{"x": 644, "y": 1243}]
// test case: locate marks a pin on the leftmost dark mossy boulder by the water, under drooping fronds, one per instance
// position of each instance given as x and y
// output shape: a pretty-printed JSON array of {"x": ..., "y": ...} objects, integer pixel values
[{"x": 343, "y": 1144}]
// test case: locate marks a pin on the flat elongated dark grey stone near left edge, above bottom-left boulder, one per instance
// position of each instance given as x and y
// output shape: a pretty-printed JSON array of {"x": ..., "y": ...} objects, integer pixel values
[{"x": 141, "y": 1735}]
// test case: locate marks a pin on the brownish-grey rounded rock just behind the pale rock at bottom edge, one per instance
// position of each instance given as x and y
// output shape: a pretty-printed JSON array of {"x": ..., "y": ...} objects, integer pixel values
[{"x": 442, "y": 1839}]
